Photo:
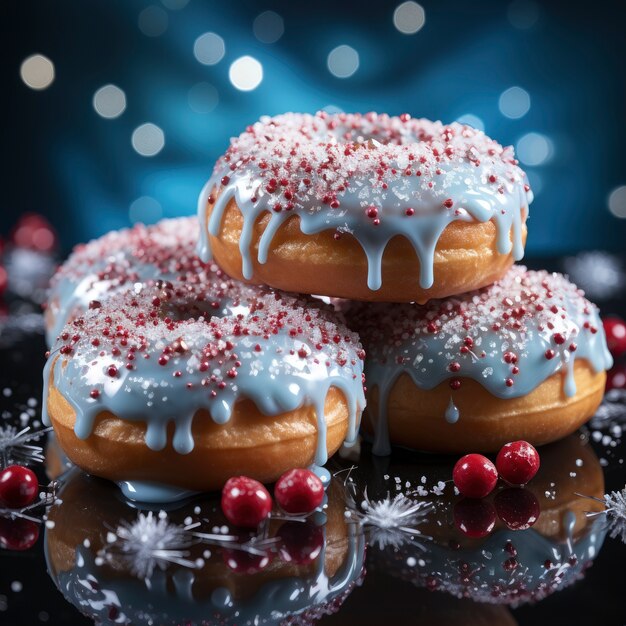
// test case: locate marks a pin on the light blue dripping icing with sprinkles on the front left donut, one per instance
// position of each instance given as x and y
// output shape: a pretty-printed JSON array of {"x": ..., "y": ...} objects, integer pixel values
[{"x": 279, "y": 357}]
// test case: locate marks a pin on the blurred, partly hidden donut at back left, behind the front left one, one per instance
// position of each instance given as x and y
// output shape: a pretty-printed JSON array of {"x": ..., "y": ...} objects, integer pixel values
[{"x": 115, "y": 262}]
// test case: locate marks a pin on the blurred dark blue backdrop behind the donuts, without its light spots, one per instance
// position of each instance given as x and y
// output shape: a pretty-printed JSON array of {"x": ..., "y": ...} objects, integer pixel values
[{"x": 62, "y": 159}]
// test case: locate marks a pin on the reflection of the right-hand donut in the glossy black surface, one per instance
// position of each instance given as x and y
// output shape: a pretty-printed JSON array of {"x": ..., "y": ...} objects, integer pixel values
[{"x": 508, "y": 566}]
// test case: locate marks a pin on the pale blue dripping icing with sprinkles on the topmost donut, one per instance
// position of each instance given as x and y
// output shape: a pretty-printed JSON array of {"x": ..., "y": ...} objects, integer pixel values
[{"x": 464, "y": 178}]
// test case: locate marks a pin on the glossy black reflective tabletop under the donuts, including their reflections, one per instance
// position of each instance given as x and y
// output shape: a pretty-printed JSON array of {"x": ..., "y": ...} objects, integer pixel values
[{"x": 406, "y": 562}]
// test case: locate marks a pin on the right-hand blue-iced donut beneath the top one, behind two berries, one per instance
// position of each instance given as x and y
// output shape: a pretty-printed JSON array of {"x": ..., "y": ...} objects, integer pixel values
[{"x": 524, "y": 358}]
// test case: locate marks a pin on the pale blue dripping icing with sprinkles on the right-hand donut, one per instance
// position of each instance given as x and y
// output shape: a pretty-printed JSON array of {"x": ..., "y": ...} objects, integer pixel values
[{"x": 457, "y": 338}]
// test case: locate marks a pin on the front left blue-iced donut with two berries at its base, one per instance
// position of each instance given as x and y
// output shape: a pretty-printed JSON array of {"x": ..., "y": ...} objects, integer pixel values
[{"x": 173, "y": 388}]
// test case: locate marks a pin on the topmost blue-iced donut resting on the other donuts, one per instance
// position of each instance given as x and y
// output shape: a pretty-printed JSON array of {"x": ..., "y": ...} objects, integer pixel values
[{"x": 367, "y": 207}]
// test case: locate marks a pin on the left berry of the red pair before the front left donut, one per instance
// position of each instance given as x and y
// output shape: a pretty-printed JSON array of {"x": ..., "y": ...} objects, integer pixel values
[{"x": 245, "y": 502}]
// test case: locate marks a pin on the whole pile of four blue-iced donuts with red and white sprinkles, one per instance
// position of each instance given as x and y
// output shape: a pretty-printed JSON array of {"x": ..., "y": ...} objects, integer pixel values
[{"x": 178, "y": 371}]
